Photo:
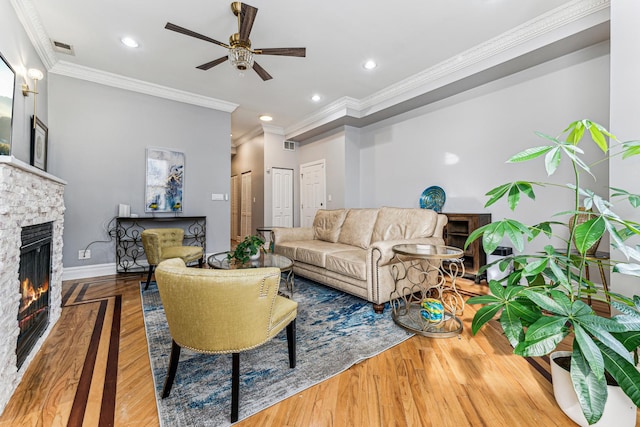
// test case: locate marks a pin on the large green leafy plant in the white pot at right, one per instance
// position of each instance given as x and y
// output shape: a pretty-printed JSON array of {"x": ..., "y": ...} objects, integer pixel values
[{"x": 541, "y": 301}]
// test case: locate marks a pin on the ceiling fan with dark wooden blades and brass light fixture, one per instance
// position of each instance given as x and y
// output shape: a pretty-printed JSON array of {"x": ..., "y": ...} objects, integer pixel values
[{"x": 240, "y": 54}]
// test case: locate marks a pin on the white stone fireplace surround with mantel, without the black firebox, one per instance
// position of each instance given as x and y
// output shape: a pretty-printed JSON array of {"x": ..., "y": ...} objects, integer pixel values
[{"x": 28, "y": 196}]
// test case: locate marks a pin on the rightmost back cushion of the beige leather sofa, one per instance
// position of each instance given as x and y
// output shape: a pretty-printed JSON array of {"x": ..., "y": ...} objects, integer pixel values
[{"x": 404, "y": 223}]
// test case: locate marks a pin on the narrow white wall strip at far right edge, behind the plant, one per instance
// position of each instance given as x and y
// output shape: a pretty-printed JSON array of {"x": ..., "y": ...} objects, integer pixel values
[{"x": 625, "y": 92}]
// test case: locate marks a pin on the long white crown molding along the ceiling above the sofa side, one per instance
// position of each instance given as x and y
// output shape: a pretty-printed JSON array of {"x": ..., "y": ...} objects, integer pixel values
[{"x": 544, "y": 29}]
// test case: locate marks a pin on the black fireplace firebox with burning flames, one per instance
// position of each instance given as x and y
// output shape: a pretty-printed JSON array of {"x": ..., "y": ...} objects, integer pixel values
[{"x": 34, "y": 276}]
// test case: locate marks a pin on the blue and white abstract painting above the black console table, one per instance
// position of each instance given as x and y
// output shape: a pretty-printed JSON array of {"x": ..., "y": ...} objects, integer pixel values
[{"x": 164, "y": 180}]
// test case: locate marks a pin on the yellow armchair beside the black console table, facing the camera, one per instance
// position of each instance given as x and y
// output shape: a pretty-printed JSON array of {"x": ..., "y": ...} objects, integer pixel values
[{"x": 165, "y": 243}]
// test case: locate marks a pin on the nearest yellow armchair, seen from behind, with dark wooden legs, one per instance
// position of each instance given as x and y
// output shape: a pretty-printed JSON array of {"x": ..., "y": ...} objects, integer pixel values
[{"x": 223, "y": 311}]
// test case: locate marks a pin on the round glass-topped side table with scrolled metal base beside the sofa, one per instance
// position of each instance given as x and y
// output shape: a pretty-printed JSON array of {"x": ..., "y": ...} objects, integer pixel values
[{"x": 427, "y": 272}]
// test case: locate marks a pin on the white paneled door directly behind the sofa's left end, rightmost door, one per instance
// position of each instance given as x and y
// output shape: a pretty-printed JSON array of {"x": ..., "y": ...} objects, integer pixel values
[{"x": 312, "y": 191}]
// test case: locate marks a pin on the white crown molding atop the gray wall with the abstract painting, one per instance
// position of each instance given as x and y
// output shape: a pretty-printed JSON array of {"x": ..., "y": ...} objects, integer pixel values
[{"x": 115, "y": 80}]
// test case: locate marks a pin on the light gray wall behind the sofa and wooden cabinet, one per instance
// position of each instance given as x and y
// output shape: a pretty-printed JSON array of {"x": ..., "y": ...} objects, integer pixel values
[{"x": 462, "y": 143}]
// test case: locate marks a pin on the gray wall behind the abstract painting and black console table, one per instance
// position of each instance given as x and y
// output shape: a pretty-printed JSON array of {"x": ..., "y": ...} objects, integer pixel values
[{"x": 98, "y": 137}]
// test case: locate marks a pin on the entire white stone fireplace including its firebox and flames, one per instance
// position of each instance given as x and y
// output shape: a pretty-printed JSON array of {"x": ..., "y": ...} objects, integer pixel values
[{"x": 28, "y": 197}]
